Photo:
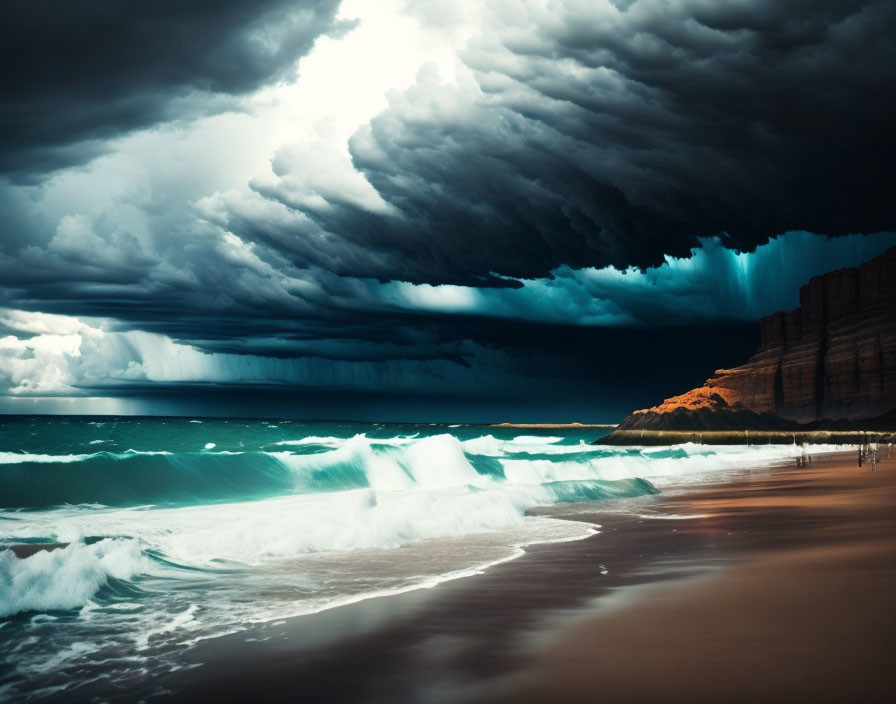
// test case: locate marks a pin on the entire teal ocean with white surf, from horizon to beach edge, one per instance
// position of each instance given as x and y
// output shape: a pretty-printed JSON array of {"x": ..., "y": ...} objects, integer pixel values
[{"x": 137, "y": 537}]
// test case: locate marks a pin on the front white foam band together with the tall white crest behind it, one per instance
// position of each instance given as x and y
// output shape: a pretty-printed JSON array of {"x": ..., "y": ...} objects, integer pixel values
[{"x": 426, "y": 490}]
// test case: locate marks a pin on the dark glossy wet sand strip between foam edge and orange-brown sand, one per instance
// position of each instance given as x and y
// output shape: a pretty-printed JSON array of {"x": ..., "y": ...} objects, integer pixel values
[{"x": 369, "y": 640}]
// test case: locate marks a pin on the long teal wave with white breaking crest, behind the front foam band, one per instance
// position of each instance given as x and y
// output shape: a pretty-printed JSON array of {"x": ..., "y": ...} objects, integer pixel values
[{"x": 319, "y": 465}]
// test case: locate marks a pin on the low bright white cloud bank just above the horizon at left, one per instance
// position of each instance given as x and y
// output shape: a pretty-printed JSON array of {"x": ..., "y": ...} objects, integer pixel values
[{"x": 69, "y": 356}]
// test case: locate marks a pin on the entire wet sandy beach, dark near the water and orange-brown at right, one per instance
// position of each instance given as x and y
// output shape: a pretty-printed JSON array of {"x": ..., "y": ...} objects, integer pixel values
[{"x": 780, "y": 586}]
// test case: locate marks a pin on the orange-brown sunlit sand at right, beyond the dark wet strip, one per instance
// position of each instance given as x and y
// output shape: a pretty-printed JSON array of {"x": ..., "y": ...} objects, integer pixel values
[{"x": 804, "y": 612}]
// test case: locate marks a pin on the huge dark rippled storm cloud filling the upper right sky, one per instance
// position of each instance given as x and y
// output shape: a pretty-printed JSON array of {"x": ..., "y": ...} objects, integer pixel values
[{"x": 600, "y": 137}]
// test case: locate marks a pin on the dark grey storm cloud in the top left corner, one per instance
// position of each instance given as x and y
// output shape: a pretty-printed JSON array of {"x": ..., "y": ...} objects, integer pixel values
[{"x": 75, "y": 73}]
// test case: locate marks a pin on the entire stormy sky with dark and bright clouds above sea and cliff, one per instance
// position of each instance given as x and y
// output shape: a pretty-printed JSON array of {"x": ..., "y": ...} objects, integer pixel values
[{"x": 424, "y": 210}]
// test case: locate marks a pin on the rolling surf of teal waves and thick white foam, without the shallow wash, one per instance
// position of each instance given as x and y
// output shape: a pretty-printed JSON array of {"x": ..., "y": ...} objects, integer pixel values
[{"x": 120, "y": 513}]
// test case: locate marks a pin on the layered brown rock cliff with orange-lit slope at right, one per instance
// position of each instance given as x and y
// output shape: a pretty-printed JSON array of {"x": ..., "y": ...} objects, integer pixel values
[{"x": 829, "y": 362}]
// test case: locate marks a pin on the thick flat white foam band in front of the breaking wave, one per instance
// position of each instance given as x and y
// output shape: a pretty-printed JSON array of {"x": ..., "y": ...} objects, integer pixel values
[{"x": 251, "y": 532}]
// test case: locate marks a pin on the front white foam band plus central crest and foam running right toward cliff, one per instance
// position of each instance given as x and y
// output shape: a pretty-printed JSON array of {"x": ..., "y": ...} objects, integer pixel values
[{"x": 424, "y": 490}]
